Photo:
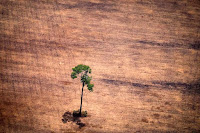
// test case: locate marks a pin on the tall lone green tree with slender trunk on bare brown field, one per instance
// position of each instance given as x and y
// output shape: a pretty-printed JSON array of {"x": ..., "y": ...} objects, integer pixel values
[{"x": 85, "y": 79}]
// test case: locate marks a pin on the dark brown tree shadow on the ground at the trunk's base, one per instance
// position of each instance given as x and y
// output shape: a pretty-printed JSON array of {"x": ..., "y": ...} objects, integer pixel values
[{"x": 68, "y": 117}]
